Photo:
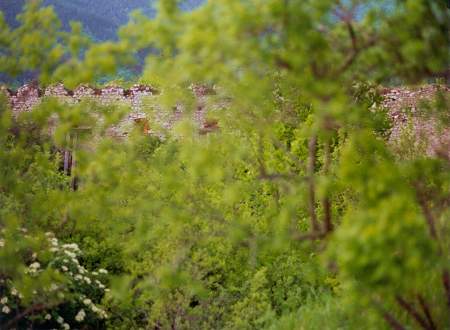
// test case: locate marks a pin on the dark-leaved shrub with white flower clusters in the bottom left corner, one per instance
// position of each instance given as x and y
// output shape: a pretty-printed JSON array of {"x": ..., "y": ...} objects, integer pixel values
[{"x": 54, "y": 290}]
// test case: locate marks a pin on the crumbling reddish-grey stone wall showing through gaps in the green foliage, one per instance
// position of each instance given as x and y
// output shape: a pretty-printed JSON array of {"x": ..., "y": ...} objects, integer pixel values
[{"x": 402, "y": 105}]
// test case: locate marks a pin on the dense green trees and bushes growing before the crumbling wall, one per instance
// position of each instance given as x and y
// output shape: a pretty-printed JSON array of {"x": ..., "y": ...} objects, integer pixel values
[{"x": 295, "y": 214}]
